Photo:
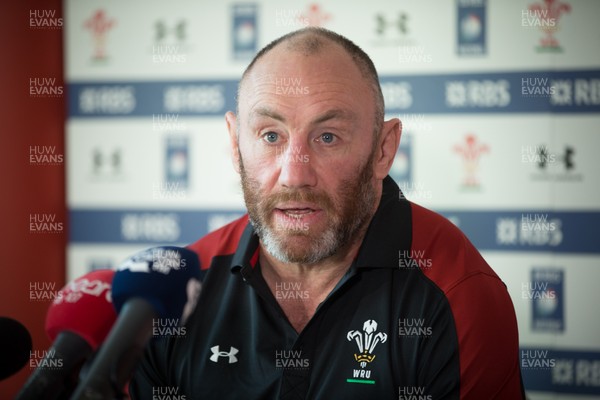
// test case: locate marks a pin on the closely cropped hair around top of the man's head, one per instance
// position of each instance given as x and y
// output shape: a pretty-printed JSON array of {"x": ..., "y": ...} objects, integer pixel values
[{"x": 312, "y": 41}]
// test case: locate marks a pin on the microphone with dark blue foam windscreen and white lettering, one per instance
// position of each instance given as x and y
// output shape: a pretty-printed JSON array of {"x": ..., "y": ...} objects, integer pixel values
[{"x": 157, "y": 283}]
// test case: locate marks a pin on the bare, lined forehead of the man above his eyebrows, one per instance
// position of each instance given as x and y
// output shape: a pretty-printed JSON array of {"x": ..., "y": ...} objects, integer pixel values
[{"x": 286, "y": 78}]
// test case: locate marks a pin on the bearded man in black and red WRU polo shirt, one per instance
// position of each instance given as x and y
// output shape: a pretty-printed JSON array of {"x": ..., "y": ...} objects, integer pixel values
[{"x": 336, "y": 286}]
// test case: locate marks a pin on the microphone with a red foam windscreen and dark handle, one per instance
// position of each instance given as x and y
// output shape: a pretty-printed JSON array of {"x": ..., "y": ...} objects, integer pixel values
[{"x": 77, "y": 322}]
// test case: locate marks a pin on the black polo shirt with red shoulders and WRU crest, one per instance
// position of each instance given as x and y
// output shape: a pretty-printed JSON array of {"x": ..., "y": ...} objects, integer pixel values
[{"x": 418, "y": 315}]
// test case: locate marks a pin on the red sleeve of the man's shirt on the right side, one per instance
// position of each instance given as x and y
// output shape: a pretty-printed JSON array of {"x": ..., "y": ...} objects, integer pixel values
[{"x": 484, "y": 316}]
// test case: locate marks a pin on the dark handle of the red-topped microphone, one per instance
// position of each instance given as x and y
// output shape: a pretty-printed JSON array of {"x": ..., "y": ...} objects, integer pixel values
[{"x": 57, "y": 371}]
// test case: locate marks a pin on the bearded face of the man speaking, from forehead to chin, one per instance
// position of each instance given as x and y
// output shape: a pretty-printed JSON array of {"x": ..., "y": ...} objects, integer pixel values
[{"x": 306, "y": 153}]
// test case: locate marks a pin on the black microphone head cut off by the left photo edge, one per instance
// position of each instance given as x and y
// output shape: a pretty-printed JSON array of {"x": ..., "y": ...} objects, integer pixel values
[{"x": 16, "y": 346}]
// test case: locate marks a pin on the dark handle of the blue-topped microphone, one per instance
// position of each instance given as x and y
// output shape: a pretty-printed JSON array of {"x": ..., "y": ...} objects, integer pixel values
[{"x": 118, "y": 355}]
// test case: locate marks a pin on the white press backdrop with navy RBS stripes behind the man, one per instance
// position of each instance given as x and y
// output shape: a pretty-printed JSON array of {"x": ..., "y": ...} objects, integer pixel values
[{"x": 500, "y": 102}]
